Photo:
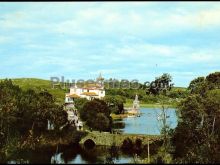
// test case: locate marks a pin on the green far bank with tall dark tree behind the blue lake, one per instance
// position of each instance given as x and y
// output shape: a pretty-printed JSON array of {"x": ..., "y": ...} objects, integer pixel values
[{"x": 152, "y": 92}]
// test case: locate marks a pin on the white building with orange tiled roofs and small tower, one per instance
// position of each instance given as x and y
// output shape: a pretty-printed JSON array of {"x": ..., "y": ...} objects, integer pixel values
[{"x": 88, "y": 91}]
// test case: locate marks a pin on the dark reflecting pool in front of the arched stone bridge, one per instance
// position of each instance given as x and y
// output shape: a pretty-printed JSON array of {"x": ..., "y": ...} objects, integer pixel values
[{"x": 72, "y": 154}]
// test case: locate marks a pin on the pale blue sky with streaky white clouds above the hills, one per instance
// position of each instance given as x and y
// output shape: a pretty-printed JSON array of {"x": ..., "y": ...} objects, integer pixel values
[{"x": 122, "y": 40}]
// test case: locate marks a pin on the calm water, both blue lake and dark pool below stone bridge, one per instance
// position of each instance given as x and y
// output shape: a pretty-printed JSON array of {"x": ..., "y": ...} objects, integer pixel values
[{"x": 147, "y": 123}]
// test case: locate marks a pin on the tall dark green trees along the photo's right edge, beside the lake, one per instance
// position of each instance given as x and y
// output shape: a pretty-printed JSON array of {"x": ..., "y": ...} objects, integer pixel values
[{"x": 197, "y": 135}]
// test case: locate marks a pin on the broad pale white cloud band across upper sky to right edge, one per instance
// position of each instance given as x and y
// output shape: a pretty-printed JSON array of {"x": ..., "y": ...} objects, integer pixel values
[{"x": 102, "y": 20}]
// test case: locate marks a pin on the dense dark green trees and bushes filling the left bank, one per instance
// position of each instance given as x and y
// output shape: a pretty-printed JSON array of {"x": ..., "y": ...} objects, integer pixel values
[{"x": 24, "y": 117}]
